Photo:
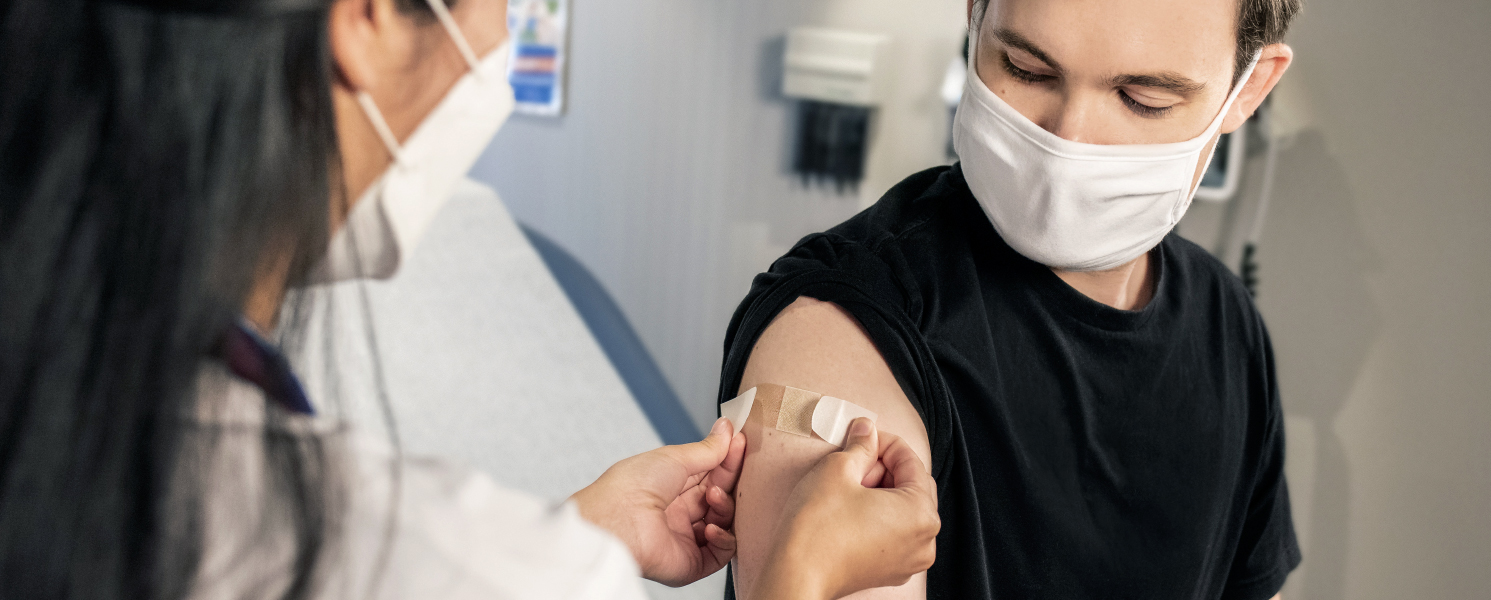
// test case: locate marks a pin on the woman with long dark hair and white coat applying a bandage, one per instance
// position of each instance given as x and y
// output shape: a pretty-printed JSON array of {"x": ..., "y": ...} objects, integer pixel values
[{"x": 165, "y": 178}]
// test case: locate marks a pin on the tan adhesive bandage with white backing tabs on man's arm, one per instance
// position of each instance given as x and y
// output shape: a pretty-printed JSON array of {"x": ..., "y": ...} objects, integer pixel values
[{"x": 800, "y": 413}]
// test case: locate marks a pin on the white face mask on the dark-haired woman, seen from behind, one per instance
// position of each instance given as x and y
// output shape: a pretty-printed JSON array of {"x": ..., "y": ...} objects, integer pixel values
[{"x": 396, "y": 211}]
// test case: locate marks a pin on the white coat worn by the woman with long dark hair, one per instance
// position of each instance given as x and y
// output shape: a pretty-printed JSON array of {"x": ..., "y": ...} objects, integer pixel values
[{"x": 457, "y": 537}]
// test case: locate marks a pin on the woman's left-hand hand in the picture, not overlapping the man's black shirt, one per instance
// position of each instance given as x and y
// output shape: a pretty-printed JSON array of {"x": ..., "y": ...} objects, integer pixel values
[{"x": 673, "y": 507}]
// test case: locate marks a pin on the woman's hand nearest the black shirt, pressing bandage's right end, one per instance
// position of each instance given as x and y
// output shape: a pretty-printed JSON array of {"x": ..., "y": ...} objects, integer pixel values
[{"x": 863, "y": 519}]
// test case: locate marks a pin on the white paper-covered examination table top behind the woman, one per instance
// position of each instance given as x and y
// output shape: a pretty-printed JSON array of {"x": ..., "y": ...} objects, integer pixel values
[{"x": 482, "y": 354}]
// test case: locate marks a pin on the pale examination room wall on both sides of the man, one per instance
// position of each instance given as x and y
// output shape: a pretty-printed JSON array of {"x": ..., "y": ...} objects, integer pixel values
[{"x": 669, "y": 177}]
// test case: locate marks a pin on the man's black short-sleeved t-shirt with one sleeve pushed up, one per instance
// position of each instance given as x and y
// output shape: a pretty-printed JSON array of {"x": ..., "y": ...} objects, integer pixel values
[{"x": 1080, "y": 451}]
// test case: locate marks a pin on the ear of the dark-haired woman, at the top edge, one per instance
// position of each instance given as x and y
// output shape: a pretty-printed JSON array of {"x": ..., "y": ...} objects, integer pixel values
[{"x": 359, "y": 34}]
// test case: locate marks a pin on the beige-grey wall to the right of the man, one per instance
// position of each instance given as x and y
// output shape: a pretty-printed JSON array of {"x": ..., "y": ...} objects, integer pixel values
[{"x": 1375, "y": 280}]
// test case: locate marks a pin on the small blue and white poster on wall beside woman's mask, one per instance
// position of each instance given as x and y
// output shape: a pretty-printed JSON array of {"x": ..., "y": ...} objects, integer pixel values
[{"x": 539, "y": 29}]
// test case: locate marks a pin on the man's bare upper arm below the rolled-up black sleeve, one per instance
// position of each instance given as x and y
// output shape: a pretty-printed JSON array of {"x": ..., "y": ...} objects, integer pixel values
[{"x": 819, "y": 347}]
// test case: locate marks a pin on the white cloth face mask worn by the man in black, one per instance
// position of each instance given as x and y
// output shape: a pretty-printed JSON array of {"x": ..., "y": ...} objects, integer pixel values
[{"x": 1071, "y": 205}]
